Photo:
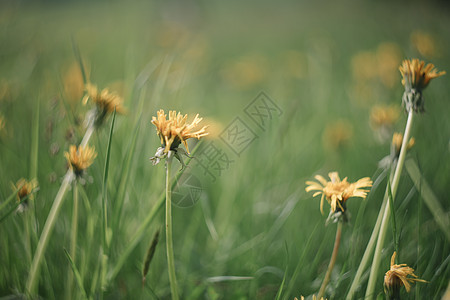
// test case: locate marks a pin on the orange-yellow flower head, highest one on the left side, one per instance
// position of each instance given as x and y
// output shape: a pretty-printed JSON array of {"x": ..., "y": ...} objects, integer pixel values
[{"x": 105, "y": 102}]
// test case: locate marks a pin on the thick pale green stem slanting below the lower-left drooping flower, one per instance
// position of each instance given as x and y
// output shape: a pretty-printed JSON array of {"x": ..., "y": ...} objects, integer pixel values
[{"x": 46, "y": 232}]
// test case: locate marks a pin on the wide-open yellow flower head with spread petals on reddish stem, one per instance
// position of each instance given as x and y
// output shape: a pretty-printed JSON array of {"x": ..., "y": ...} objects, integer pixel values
[{"x": 336, "y": 192}]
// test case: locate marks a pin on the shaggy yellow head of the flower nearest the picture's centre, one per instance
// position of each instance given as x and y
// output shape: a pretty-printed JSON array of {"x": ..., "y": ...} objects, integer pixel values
[{"x": 176, "y": 130}]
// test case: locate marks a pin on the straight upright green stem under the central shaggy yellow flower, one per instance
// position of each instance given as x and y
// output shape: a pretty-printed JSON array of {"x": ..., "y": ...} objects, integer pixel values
[{"x": 169, "y": 241}]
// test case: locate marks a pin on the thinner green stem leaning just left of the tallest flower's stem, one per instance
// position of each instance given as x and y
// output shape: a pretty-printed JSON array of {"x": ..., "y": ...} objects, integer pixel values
[{"x": 370, "y": 246}]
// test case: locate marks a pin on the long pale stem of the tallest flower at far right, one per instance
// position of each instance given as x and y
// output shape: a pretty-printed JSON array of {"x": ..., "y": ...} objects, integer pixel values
[{"x": 384, "y": 224}]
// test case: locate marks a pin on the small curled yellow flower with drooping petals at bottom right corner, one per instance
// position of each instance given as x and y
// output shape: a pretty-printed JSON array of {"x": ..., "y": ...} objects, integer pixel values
[{"x": 397, "y": 276}]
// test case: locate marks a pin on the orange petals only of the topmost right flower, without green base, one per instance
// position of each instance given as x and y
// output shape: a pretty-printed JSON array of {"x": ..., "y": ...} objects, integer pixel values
[{"x": 416, "y": 75}]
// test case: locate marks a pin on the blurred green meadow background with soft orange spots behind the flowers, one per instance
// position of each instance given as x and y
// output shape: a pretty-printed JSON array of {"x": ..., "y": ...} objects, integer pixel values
[{"x": 325, "y": 64}]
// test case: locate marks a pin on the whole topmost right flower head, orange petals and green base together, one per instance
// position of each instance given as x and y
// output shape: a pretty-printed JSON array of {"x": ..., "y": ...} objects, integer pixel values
[{"x": 416, "y": 77}]
